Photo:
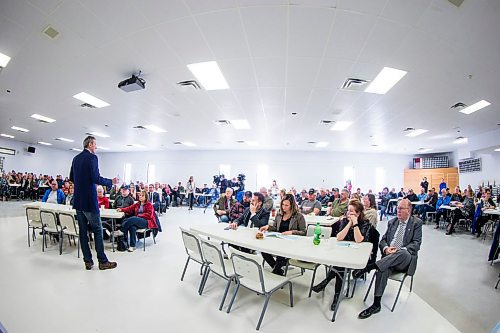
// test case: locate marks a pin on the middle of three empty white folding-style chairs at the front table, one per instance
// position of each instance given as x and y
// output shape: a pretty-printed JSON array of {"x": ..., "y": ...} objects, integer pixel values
[{"x": 216, "y": 263}]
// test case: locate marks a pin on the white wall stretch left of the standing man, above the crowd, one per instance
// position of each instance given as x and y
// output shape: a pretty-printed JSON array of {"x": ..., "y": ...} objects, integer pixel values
[{"x": 45, "y": 160}]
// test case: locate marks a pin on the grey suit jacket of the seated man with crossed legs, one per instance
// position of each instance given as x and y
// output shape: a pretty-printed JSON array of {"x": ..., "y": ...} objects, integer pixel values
[{"x": 411, "y": 240}]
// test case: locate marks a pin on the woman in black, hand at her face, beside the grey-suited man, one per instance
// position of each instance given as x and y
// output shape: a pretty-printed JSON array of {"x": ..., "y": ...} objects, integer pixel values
[{"x": 354, "y": 227}]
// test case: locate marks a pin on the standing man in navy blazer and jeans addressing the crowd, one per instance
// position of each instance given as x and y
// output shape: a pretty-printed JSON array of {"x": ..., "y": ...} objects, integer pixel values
[{"x": 84, "y": 174}]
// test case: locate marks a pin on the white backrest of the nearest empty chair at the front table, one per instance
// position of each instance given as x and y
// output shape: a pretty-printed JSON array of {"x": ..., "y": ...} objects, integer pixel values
[{"x": 248, "y": 267}]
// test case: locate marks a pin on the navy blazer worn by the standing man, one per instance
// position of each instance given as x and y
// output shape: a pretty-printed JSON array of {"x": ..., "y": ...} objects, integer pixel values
[{"x": 84, "y": 174}]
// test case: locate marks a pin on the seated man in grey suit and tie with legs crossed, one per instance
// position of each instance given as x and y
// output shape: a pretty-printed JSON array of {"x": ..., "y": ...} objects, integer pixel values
[{"x": 399, "y": 245}]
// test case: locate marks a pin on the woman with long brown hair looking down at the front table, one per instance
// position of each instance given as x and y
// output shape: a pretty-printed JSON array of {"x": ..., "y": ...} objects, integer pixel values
[{"x": 289, "y": 221}]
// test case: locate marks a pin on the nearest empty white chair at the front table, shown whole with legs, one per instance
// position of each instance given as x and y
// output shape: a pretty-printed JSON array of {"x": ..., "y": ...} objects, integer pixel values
[{"x": 251, "y": 275}]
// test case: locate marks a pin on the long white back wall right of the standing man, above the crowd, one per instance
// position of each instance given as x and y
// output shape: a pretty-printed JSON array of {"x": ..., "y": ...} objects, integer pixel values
[{"x": 290, "y": 168}]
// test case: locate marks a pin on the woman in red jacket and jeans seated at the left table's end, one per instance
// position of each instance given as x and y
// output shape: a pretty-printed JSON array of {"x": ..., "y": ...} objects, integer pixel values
[{"x": 141, "y": 216}]
